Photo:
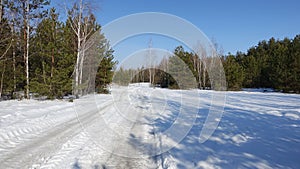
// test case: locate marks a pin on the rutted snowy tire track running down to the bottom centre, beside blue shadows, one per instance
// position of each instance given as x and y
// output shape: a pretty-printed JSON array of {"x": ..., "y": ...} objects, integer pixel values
[{"x": 125, "y": 153}]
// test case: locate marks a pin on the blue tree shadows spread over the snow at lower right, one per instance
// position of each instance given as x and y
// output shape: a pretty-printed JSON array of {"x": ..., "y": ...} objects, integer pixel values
[{"x": 243, "y": 139}]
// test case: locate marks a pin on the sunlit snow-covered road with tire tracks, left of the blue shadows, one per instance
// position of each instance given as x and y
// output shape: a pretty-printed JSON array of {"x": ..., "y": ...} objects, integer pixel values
[{"x": 90, "y": 133}]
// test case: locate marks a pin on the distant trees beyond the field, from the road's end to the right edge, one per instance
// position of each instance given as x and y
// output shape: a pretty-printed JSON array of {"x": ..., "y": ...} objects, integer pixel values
[{"x": 271, "y": 64}]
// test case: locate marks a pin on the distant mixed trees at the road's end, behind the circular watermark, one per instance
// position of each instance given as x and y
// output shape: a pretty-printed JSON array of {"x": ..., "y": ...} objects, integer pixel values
[{"x": 183, "y": 69}]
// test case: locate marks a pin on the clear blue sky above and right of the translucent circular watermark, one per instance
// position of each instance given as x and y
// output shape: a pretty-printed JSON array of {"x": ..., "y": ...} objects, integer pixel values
[{"x": 235, "y": 25}]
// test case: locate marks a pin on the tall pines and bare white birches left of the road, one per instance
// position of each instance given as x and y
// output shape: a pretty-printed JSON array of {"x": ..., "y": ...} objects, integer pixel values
[{"x": 42, "y": 55}]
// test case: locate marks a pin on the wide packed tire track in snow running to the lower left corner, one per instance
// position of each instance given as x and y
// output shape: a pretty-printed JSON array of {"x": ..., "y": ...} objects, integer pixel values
[{"x": 35, "y": 151}]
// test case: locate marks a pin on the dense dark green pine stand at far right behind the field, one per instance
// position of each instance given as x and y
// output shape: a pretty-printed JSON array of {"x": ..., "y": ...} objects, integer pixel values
[{"x": 270, "y": 64}]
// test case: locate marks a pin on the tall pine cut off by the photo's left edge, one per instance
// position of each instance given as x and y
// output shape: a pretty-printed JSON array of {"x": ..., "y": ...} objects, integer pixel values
[{"x": 9, "y": 51}]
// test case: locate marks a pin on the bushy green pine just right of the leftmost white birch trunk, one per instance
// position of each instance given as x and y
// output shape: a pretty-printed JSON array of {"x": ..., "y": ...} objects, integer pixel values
[{"x": 48, "y": 53}]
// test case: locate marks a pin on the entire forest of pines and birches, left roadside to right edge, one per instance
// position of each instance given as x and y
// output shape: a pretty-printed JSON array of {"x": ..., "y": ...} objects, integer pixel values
[{"x": 43, "y": 55}]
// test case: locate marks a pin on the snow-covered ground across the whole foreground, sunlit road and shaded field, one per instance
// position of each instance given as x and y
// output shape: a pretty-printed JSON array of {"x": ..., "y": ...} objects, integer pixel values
[{"x": 138, "y": 127}]
